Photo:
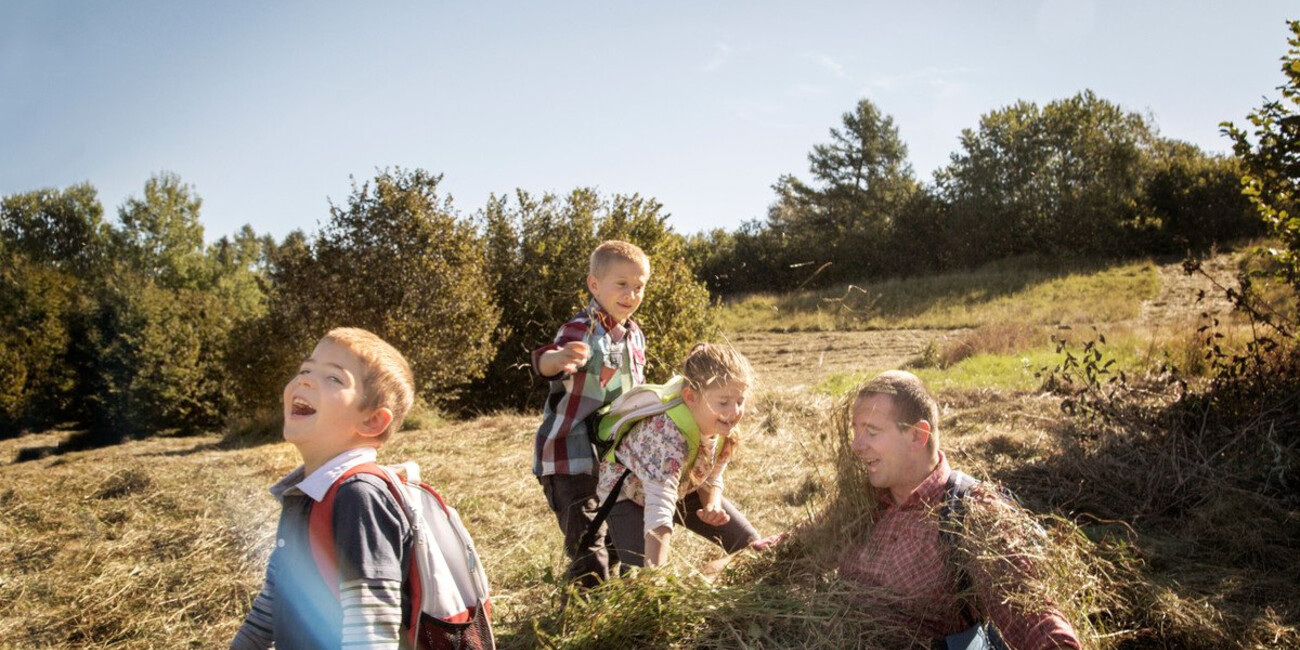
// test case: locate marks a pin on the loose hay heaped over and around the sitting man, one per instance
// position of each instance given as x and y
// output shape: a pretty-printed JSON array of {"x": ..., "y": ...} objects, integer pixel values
[{"x": 792, "y": 597}]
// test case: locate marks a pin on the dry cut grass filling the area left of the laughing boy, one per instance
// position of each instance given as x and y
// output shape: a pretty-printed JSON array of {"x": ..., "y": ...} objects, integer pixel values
[{"x": 145, "y": 545}]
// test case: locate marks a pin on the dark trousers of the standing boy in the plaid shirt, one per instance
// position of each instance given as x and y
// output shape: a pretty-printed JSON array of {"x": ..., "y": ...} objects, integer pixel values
[{"x": 573, "y": 500}]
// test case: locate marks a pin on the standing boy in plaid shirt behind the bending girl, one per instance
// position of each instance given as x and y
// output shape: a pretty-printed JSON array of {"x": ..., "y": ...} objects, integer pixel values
[{"x": 595, "y": 358}]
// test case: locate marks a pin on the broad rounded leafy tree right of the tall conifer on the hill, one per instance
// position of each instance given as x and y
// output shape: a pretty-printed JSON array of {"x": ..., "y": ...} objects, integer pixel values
[{"x": 1059, "y": 180}]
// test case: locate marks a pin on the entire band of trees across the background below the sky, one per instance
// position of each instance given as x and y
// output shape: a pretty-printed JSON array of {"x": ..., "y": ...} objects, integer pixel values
[{"x": 137, "y": 326}]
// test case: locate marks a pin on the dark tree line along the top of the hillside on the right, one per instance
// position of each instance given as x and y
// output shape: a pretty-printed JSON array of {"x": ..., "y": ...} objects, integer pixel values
[{"x": 1077, "y": 177}]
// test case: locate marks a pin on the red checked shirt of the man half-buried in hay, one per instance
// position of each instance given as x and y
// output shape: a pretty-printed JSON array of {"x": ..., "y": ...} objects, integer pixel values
[{"x": 908, "y": 562}]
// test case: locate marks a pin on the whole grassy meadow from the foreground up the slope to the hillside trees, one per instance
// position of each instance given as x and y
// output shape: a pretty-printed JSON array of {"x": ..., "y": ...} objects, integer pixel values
[{"x": 162, "y": 543}]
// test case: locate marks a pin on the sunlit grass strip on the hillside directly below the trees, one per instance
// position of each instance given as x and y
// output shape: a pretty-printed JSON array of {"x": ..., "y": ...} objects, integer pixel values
[{"x": 1080, "y": 294}]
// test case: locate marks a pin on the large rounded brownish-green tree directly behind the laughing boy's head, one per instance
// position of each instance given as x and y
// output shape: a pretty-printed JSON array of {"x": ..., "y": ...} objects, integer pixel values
[{"x": 396, "y": 259}]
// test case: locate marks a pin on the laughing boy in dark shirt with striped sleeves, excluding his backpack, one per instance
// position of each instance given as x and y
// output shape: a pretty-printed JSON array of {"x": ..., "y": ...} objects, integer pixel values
[{"x": 344, "y": 404}]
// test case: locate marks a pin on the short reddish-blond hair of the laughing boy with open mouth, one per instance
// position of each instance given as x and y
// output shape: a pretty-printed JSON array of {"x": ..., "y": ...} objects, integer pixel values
[{"x": 387, "y": 380}]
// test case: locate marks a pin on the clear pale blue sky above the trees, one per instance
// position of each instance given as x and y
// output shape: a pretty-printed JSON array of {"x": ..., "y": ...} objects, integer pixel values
[{"x": 270, "y": 109}]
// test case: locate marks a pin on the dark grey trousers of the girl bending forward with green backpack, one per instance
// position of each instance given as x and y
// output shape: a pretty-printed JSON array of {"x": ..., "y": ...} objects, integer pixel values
[{"x": 627, "y": 528}]
